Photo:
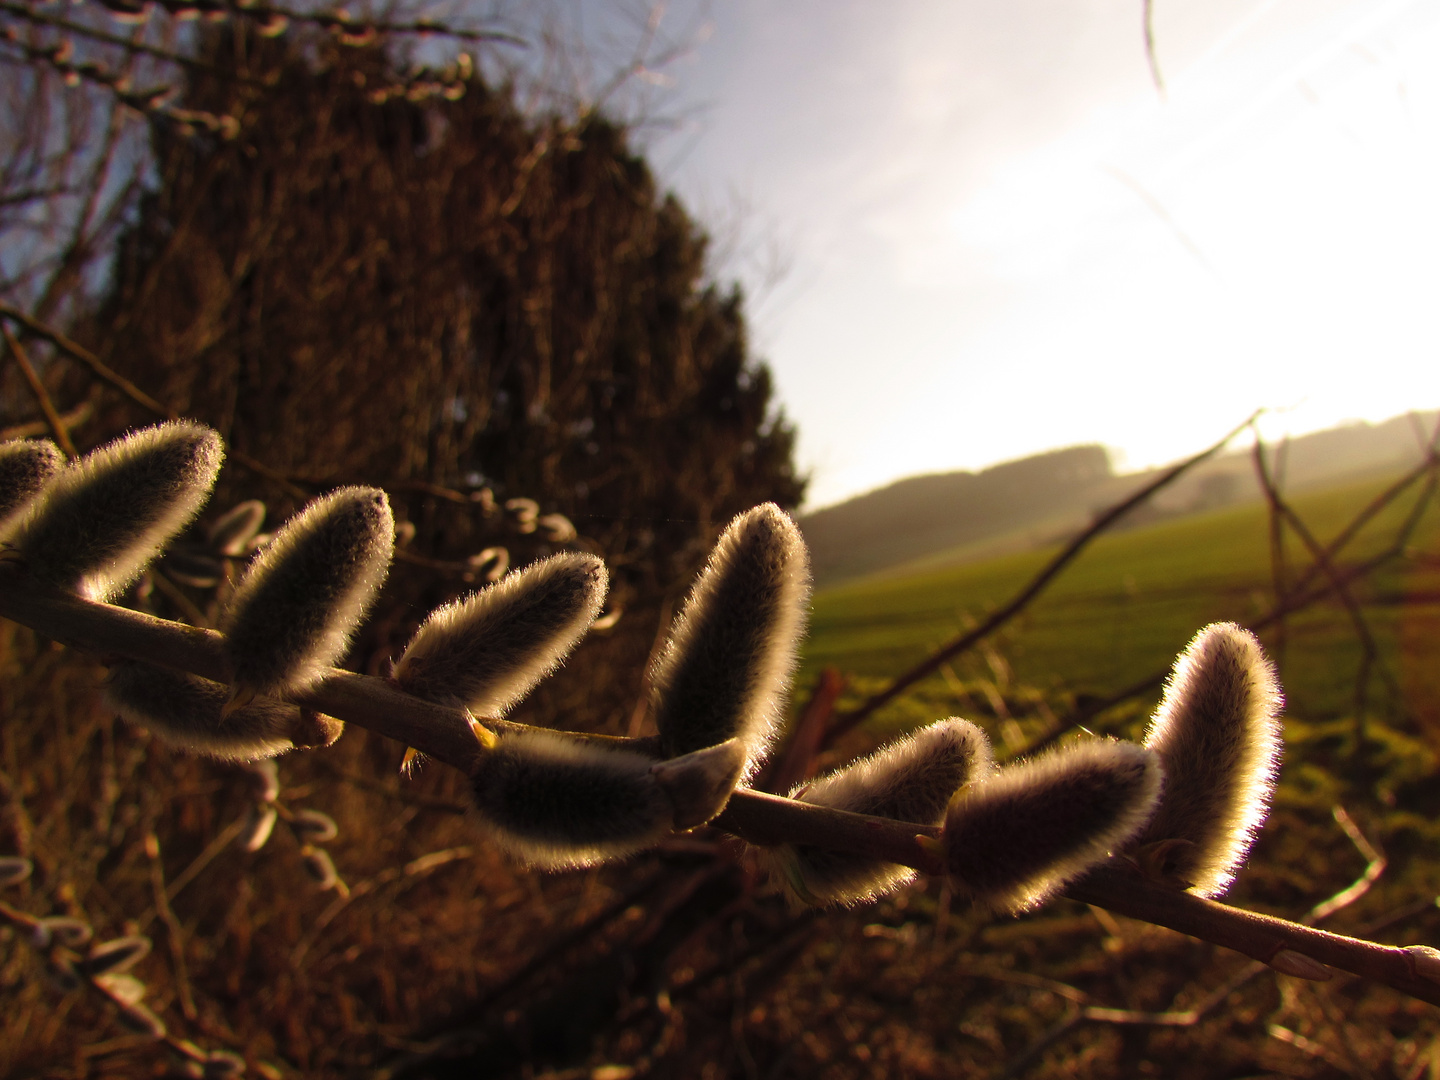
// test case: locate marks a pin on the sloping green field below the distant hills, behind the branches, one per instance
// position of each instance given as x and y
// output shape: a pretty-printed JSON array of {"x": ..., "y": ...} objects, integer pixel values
[{"x": 1131, "y": 603}]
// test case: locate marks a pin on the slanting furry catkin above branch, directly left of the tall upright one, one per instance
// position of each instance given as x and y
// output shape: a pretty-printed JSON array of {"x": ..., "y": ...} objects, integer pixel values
[{"x": 487, "y": 652}]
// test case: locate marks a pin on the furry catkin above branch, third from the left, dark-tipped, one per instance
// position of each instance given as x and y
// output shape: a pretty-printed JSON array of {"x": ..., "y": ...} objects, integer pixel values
[{"x": 307, "y": 591}]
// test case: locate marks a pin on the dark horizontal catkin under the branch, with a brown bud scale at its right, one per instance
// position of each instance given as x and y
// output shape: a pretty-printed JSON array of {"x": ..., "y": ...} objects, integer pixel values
[{"x": 558, "y": 801}]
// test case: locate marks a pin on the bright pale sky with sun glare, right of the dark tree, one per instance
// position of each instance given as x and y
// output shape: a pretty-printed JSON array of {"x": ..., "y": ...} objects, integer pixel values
[{"x": 976, "y": 231}]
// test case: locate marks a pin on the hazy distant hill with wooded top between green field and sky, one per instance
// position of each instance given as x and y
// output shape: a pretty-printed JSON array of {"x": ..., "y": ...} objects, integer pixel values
[{"x": 950, "y": 518}]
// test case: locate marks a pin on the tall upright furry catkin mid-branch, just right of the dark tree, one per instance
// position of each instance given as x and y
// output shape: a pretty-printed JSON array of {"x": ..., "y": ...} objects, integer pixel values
[{"x": 728, "y": 665}]
